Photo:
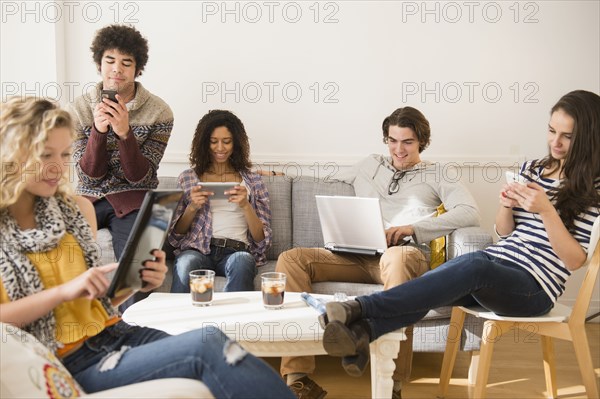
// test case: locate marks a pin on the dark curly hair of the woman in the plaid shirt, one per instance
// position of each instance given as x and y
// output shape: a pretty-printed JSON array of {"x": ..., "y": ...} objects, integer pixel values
[{"x": 200, "y": 157}]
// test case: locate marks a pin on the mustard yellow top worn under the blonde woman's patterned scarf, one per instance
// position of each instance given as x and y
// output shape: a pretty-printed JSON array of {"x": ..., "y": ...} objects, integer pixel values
[{"x": 77, "y": 319}]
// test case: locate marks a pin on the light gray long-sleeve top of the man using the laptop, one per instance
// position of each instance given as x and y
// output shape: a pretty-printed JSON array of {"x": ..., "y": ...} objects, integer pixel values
[{"x": 421, "y": 190}]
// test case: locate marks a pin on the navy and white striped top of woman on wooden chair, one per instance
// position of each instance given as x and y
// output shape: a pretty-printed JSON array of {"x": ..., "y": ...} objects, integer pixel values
[{"x": 528, "y": 245}]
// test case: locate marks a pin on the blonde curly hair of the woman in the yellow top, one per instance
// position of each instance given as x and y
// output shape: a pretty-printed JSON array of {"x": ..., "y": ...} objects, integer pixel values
[{"x": 24, "y": 126}]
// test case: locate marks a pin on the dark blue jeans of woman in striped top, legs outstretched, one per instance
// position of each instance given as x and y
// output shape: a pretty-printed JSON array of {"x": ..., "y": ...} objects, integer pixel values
[{"x": 474, "y": 278}]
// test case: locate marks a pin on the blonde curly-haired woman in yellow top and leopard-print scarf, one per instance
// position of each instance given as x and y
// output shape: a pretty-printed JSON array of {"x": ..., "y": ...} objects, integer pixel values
[{"x": 52, "y": 286}]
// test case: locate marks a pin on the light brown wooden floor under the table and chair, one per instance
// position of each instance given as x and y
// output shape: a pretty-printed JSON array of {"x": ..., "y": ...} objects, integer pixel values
[{"x": 516, "y": 372}]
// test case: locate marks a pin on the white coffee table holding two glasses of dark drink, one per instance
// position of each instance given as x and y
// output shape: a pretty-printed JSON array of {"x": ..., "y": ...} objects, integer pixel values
[{"x": 291, "y": 331}]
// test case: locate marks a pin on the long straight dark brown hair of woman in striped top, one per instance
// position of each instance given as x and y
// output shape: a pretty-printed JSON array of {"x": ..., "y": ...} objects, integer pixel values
[{"x": 577, "y": 191}]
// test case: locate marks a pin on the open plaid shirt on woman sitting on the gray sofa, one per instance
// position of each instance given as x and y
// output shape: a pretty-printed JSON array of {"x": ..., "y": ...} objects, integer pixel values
[{"x": 200, "y": 233}]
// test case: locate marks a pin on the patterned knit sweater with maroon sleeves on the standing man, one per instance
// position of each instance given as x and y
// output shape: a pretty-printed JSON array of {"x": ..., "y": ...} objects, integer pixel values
[{"x": 120, "y": 170}]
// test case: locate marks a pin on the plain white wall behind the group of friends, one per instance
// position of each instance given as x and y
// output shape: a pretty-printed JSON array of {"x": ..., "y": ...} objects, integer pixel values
[{"x": 485, "y": 73}]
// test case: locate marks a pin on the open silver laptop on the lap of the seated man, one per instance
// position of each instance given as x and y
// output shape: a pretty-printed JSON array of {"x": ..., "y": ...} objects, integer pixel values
[{"x": 352, "y": 224}]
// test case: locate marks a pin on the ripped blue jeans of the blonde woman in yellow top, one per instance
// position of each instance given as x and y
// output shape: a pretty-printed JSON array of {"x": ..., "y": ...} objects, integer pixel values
[{"x": 123, "y": 354}]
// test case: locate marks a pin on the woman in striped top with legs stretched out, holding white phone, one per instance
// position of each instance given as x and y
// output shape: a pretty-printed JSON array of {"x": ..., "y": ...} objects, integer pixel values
[{"x": 544, "y": 226}]
